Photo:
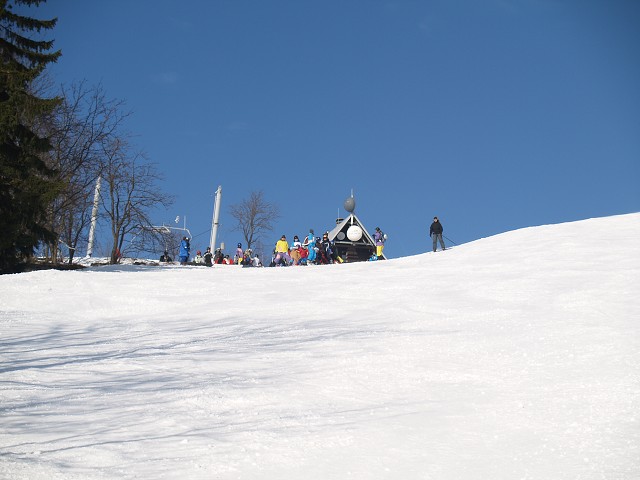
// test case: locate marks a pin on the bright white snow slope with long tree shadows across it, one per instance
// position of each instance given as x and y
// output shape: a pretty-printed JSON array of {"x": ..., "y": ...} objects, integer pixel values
[{"x": 512, "y": 357}]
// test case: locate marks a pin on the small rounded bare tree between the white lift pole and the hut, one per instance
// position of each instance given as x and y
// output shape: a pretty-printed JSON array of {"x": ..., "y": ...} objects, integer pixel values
[{"x": 254, "y": 216}]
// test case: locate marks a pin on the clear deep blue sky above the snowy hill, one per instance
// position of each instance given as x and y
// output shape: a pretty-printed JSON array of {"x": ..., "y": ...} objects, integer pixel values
[{"x": 493, "y": 114}]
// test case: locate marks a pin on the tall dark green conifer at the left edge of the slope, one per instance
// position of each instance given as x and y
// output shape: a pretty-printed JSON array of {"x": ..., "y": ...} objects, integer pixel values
[{"x": 27, "y": 184}]
